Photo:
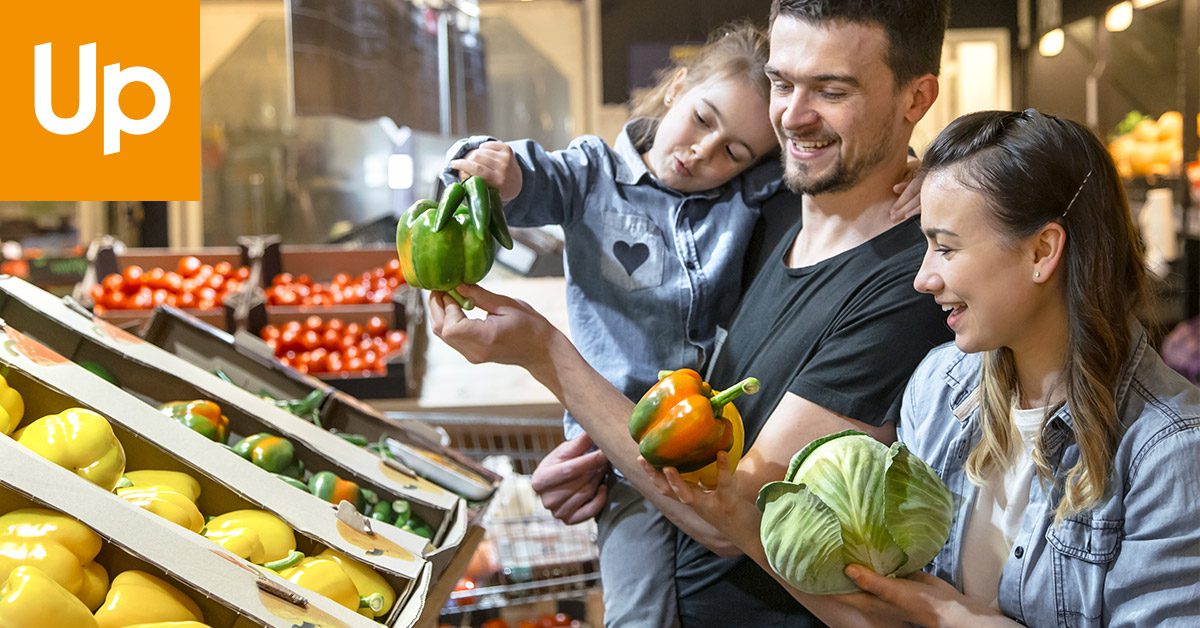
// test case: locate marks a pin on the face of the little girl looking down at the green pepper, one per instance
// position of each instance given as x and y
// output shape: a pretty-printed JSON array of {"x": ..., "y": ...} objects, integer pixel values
[{"x": 710, "y": 135}]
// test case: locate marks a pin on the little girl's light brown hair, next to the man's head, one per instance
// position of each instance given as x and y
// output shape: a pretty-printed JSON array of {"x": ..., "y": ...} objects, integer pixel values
[{"x": 737, "y": 50}]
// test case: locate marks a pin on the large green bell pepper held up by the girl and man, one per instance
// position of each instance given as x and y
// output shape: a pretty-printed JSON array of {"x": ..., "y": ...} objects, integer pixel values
[{"x": 442, "y": 247}]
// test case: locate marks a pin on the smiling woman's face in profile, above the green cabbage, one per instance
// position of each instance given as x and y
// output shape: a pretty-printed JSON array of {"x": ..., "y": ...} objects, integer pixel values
[{"x": 983, "y": 280}]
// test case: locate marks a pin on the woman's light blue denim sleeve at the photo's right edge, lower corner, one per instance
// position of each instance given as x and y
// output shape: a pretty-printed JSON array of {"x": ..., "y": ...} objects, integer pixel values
[{"x": 1156, "y": 577}]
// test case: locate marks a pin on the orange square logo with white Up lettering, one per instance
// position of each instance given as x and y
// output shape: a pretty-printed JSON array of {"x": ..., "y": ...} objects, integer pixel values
[{"x": 101, "y": 100}]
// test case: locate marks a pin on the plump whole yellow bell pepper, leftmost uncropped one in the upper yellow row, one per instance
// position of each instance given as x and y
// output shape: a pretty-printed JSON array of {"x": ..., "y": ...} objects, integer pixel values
[{"x": 81, "y": 441}]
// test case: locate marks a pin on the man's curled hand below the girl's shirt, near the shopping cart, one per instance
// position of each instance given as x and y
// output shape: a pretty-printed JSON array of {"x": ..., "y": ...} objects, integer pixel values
[{"x": 571, "y": 481}]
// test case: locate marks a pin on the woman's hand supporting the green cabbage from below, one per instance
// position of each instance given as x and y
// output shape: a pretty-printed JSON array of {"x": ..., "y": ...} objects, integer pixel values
[{"x": 925, "y": 600}]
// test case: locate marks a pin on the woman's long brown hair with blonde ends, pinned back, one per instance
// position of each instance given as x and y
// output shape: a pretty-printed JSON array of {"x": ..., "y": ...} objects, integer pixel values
[{"x": 1035, "y": 170}]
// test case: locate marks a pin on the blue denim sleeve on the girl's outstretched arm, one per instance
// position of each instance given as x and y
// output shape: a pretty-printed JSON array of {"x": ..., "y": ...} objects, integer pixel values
[{"x": 555, "y": 184}]
